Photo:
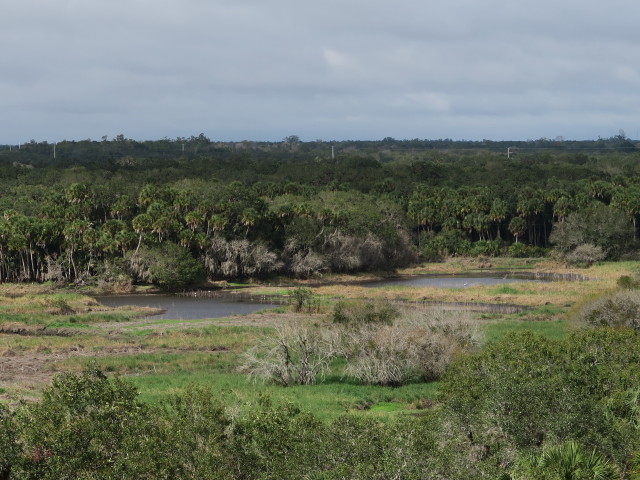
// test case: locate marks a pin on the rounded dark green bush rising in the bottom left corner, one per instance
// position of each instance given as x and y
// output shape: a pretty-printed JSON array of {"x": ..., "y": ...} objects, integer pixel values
[{"x": 85, "y": 426}]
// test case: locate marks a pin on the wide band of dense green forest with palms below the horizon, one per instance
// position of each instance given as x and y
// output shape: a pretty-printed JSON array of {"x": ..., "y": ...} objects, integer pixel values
[{"x": 76, "y": 209}]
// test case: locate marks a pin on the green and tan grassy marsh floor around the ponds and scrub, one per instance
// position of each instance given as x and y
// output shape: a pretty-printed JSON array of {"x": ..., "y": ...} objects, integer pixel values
[{"x": 45, "y": 331}]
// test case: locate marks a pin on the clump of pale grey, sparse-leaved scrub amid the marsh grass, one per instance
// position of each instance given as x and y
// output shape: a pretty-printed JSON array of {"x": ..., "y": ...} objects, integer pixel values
[{"x": 381, "y": 346}]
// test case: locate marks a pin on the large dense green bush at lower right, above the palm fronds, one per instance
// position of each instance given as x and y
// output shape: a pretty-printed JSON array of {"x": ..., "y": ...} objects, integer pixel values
[{"x": 527, "y": 391}]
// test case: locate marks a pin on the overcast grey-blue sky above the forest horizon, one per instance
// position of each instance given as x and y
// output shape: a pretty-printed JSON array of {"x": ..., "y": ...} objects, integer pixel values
[{"x": 327, "y": 69}]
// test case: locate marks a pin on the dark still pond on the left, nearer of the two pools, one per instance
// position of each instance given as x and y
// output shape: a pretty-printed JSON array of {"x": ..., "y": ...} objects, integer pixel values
[{"x": 184, "y": 308}]
